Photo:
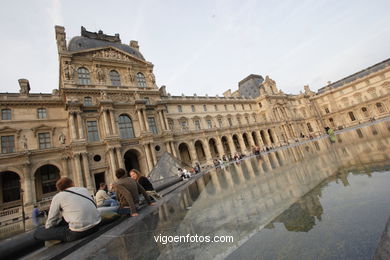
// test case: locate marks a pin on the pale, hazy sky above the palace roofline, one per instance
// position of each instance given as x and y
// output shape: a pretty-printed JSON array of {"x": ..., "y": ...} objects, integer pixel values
[{"x": 204, "y": 46}]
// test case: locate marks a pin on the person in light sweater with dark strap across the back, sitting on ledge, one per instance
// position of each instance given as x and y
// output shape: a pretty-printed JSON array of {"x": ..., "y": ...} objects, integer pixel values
[{"x": 72, "y": 215}]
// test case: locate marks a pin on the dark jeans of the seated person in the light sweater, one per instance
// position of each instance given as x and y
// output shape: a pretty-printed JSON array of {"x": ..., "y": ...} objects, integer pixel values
[{"x": 61, "y": 232}]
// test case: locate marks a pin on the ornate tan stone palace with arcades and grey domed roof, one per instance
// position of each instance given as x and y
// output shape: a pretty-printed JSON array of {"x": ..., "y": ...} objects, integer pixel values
[{"x": 108, "y": 113}]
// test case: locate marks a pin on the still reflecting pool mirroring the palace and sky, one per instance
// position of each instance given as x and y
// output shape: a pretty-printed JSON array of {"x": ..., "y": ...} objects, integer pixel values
[{"x": 316, "y": 200}]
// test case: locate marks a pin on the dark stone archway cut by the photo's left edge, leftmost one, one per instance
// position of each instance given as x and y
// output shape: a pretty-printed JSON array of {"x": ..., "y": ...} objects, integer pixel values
[{"x": 10, "y": 189}]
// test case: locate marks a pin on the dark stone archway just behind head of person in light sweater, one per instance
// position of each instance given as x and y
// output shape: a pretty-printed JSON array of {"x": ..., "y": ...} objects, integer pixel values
[{"x": 46, "y": 177}]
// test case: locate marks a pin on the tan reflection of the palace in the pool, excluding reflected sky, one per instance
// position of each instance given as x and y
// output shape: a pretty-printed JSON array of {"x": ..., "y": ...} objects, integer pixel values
[{"x": 240, "y": 199}]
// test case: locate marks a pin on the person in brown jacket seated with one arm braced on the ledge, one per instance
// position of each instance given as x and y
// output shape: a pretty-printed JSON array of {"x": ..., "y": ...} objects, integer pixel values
[{"x": 134, "y": 188}]
